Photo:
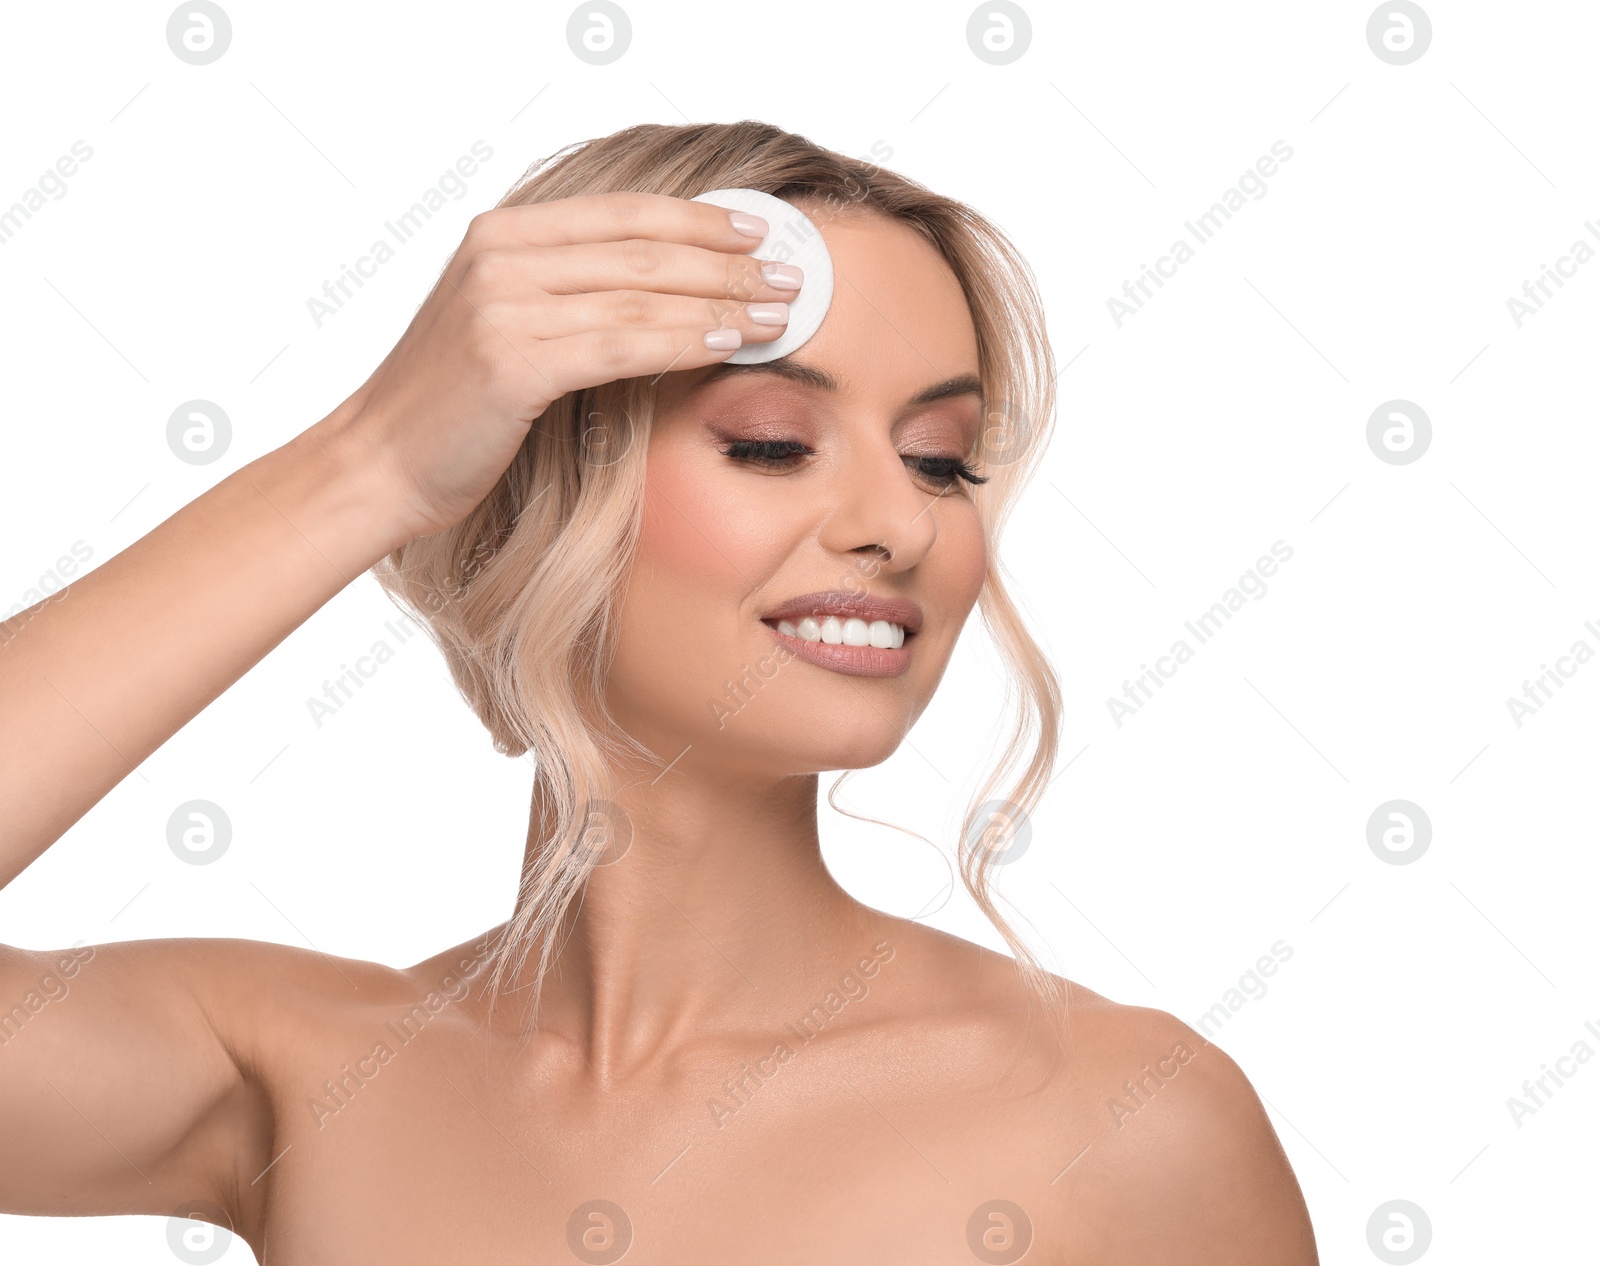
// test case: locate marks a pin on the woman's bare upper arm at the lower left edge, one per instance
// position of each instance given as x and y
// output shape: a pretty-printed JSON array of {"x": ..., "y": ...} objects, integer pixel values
[{"x": 121, "y": 1091}]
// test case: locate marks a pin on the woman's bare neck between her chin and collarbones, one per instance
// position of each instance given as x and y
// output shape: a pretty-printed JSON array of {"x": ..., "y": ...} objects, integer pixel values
[{"x": 718, "y": 919}]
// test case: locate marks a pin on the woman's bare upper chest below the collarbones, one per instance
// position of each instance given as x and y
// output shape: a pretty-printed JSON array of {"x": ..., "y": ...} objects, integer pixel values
[{"x": 433, "y": 1156}]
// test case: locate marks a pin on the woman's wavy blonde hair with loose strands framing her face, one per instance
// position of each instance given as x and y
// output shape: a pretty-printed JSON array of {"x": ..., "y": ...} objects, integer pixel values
[{"x": 522, "y": 593}]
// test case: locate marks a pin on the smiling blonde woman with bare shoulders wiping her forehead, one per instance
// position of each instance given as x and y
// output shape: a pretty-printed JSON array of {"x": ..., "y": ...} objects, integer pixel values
[{"x": 687, "y": 1044}]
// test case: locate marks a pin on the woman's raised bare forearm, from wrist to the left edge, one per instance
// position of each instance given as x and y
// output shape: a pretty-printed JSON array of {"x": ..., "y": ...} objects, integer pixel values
[{"x": 102, "y": 675}]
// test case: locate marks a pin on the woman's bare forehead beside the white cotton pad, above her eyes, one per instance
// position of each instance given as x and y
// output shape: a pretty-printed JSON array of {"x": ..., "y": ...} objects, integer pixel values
[{"x": 898, "y": 321}]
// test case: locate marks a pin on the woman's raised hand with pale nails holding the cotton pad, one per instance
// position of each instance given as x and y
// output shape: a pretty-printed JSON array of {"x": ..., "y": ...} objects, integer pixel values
[{"x": 540, "y": 302}]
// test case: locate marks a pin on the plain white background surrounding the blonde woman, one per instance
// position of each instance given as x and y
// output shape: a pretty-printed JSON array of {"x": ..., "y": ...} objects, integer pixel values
[{"x": 1228, "y": 814}]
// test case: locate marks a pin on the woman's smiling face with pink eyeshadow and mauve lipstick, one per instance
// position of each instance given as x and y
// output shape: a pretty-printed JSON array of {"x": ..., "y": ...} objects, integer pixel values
[{"x": 868, "y": 510}]
